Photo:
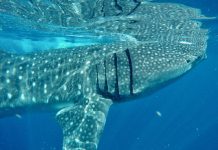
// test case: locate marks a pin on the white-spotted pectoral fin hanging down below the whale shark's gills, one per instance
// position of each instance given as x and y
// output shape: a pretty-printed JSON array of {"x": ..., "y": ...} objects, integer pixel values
[{"x": 83, "y": 124}]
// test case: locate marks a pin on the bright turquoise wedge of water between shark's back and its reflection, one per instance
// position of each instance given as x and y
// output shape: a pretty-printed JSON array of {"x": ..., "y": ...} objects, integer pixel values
[{"x": 25, "y": 36}]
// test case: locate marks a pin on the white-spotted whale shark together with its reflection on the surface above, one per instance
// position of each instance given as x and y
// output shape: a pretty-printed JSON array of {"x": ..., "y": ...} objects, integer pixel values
[{"x": 162, "y": 42}]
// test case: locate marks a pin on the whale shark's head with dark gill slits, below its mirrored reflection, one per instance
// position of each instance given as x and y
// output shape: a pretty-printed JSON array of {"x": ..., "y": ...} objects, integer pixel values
[{"x": 139, "y": 70}]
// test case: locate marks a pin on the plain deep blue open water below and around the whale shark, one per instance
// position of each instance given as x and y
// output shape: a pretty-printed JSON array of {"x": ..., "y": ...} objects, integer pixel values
[{"x": 181, "y": 116}]
